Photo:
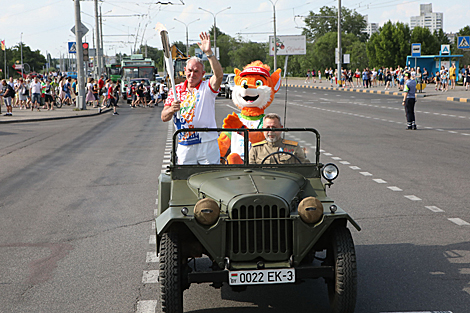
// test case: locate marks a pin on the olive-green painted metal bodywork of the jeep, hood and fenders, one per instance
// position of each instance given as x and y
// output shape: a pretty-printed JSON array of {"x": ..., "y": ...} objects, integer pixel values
[{"x": 258, "y": 220}]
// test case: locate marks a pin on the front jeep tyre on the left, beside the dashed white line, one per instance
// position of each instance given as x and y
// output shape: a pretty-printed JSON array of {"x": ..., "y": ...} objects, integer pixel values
[{"x": 171, "y": 290}]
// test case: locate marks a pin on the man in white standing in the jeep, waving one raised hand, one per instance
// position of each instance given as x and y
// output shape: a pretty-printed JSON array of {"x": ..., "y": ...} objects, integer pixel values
[{"x": 194, "y": 107}]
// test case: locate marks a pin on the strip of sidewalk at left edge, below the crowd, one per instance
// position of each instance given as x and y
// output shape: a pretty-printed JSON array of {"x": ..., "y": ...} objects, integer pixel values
[{"x": 22, "y": 116}]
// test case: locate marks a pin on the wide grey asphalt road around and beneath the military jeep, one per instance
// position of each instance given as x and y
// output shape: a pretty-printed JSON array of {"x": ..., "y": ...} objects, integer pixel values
[{"x": 77, "y": 198}]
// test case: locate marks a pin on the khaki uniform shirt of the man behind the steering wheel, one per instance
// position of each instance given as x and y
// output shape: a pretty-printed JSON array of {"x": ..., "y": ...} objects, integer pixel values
[{"x": 262, "y": 149}]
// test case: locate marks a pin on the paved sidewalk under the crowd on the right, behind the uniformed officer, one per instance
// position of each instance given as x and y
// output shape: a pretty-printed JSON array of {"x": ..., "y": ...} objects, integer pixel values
[{"x": 458, "y": 94}]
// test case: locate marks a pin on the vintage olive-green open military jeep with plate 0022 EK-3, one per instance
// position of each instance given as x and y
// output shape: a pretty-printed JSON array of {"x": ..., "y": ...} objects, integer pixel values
[{"x": 257, "y": 223}]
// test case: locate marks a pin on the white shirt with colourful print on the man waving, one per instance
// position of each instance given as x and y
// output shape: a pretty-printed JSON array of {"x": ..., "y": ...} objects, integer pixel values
[{"x": 197, "y": 111}]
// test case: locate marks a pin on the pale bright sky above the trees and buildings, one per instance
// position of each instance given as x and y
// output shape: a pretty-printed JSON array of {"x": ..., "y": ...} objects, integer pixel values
[{"x": 45, "y": 25}]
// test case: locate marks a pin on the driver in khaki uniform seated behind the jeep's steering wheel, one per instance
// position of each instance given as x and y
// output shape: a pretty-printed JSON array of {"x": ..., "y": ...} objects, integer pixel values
[{"x": 274, "y": 144}]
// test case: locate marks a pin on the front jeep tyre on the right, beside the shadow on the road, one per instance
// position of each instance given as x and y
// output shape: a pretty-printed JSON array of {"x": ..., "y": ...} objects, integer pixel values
[{"x": 342, "y": 289}]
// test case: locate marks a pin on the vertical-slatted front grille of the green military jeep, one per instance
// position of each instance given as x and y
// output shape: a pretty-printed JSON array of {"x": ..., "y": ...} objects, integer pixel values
[{"x": 259, "y": 231}]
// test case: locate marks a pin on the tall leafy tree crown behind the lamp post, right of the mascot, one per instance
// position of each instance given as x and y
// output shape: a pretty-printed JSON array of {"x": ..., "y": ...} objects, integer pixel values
[{"x": 351, "y": 23}]
